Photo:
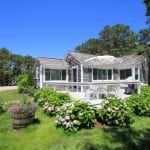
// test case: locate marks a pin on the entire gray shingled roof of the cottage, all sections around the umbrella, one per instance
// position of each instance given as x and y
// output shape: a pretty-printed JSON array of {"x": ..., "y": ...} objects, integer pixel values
[{"x": 81, "y": 57}]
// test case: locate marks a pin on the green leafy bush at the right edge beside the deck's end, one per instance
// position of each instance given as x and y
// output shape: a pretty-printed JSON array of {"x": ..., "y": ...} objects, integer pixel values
[{"x": 140, "y": 104}]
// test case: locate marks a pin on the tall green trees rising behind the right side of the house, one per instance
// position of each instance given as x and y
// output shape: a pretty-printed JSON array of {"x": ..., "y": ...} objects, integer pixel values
[{"x": 117, "y": 40}]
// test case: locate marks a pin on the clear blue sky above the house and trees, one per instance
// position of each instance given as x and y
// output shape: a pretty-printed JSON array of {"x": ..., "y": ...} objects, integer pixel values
[{"x": 51, "y": 28}]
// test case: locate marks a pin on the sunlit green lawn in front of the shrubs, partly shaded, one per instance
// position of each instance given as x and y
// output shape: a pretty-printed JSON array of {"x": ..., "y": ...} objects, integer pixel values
[{"x": 43, "y": 135}]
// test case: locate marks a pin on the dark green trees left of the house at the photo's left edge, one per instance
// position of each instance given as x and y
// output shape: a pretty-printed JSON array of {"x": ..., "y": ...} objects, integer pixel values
[{"x": 12, "y": 65}]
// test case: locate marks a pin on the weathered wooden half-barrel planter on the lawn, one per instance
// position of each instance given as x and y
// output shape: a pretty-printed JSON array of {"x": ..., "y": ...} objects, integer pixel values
[{"x": 22, "y": 119}]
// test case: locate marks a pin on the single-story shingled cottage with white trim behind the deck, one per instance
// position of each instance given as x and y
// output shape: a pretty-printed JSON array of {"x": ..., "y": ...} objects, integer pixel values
[{"x": 78, "y": 71}]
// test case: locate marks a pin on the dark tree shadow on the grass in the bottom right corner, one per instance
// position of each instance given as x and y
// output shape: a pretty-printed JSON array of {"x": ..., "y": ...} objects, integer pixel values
[{"x": 123, "y": 138}]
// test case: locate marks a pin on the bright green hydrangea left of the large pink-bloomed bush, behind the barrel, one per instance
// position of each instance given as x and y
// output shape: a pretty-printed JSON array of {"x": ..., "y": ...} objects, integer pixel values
[{"x": 50, "y": 100}]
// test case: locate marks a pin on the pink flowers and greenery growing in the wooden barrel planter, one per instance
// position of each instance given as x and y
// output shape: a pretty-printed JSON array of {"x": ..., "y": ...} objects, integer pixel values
[{"x": 23, "y": 105}]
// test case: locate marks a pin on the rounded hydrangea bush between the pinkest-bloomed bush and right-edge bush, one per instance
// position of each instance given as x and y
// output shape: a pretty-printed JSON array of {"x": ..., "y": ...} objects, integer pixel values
[{"x": 115, "y": 112}]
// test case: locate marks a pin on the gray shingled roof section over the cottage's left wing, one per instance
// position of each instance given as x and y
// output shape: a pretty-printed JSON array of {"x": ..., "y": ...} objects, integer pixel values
[{"x": 53, "y": 62}]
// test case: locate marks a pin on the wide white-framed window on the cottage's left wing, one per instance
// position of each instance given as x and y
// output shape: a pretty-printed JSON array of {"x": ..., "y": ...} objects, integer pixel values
[{"x": 55, "y": 74}]
